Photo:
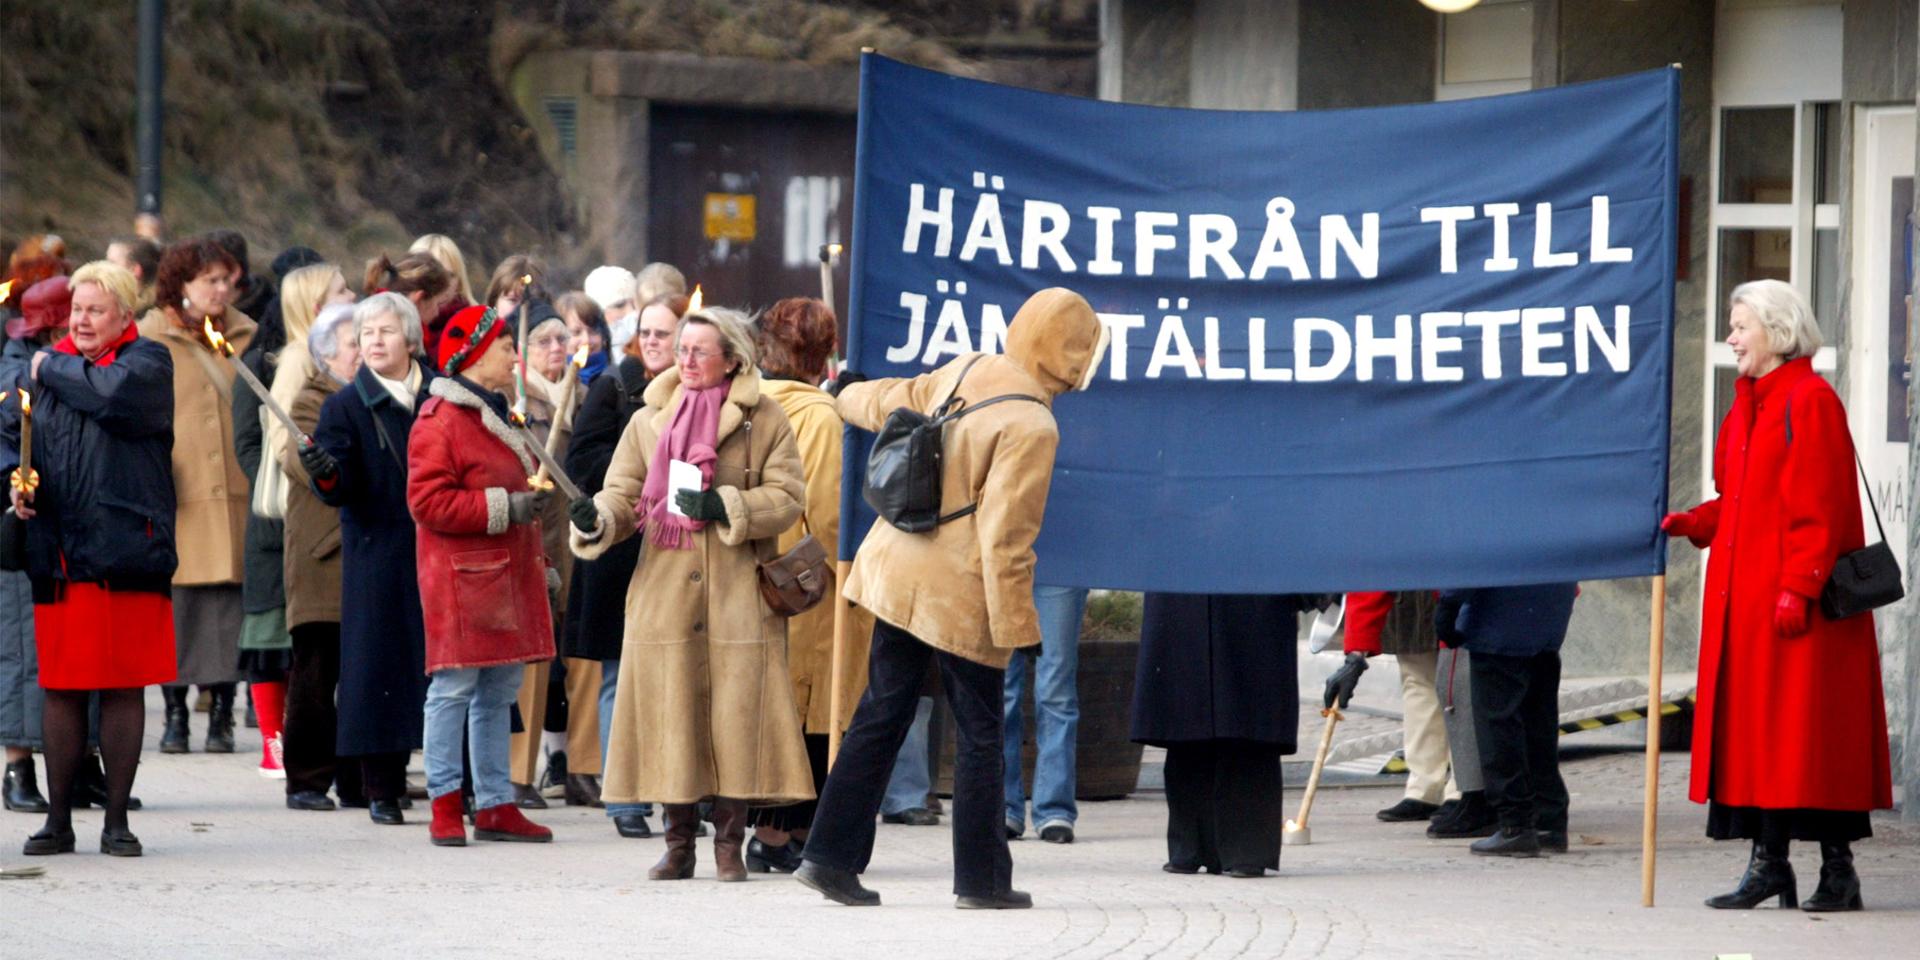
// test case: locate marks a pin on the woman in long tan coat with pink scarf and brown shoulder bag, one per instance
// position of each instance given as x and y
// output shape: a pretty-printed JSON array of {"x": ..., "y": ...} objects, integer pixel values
[{"x": 704, "y": 706}]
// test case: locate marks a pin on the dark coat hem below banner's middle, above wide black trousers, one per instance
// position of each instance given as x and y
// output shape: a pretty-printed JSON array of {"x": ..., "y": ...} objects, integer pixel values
[{"x": 1218, "y": 667}]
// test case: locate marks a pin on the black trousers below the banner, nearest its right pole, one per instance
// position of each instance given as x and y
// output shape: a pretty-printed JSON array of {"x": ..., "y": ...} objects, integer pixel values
[{"x": 1516, "y": 723}]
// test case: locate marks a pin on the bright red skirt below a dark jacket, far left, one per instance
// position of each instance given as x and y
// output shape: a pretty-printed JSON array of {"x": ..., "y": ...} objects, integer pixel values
[{"x": 97, "y": 638}]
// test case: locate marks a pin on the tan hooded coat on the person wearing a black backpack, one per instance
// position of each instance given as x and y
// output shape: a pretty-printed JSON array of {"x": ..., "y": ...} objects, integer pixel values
[{"x": 967, "y": 587}]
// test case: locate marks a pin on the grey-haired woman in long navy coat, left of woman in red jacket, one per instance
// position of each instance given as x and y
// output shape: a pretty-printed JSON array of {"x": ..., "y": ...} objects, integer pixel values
[{"x": 360, "y": 466}]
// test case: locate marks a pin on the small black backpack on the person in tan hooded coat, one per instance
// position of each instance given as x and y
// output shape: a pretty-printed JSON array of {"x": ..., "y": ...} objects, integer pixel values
[{"x": 903, "y": 471}]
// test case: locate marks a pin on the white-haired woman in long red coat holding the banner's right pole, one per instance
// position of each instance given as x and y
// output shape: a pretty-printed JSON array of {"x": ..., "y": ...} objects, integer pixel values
[{"x": 1790, "y": 734}]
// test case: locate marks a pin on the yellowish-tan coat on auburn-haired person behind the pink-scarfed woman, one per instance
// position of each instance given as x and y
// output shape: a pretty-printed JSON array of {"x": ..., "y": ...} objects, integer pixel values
[{"x": 817, "y": 427}]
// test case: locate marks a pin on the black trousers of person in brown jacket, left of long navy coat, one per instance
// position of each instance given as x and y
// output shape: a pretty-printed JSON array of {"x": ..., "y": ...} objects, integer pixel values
[{"x": 312, "y": 717}]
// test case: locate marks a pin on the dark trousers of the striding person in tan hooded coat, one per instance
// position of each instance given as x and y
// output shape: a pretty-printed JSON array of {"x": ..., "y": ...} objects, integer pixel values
[{"x": 844, "y": 825}]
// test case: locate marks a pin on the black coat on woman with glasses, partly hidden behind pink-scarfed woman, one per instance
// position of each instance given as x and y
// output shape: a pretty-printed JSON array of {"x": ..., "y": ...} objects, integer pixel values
[{"x": 596, "y": 608}]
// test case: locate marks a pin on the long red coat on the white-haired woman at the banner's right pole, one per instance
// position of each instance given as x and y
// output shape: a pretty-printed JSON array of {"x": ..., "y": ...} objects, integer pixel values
[{"x": 1785, "y": 723}]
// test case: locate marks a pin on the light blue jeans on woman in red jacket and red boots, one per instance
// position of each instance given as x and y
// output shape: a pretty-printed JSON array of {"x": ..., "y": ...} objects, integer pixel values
[{"x": 471, "y": 704}]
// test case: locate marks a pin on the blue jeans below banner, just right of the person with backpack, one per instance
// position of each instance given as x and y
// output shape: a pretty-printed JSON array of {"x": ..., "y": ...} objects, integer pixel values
[{"x": 1057, "y": 708}]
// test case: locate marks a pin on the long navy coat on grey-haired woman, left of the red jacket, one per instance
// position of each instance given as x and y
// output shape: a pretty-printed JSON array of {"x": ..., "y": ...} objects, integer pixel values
[{"x": 383, "y": 636}]
